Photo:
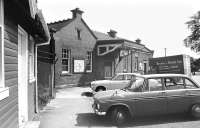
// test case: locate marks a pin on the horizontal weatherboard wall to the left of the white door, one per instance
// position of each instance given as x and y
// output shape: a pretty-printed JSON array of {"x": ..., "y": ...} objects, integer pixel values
[{"x": 9, "y": 106}]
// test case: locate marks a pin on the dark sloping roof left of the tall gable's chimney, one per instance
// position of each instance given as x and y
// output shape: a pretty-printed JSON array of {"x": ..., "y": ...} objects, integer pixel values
[{"x": 59, "y": 24}]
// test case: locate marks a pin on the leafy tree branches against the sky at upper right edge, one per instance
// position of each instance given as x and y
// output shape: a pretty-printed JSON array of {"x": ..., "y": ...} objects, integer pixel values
[{"x": 193, "y": 40}]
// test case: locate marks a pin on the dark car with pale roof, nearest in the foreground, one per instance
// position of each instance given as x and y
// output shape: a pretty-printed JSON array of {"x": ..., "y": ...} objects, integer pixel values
[{"x": 149, "y": 95}]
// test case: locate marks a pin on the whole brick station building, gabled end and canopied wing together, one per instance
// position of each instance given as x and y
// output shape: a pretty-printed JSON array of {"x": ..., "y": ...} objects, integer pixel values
[{"x": 85, "y": 55}]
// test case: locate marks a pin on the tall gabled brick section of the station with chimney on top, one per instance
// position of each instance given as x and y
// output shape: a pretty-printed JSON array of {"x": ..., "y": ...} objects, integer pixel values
[{"x": 74, "y": 44}]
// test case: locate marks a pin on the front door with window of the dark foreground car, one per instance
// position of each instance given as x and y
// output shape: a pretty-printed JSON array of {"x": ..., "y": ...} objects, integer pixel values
[{"x": 152, "y": 100}]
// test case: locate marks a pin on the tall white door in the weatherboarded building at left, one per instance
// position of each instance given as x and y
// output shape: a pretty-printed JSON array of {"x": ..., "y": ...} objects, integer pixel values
[{"x": 22, "y": 76}]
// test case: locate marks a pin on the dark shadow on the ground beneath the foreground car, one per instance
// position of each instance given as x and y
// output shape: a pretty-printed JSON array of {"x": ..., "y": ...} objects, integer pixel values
[{"x": 90, "y": 119}]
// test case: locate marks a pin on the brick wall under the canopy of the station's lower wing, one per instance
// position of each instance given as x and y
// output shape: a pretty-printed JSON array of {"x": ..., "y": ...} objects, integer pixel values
[{"x": 118, "y": 63}]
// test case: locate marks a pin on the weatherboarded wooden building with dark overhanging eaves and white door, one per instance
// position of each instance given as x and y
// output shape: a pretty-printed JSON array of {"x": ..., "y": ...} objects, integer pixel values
[{"x": 21, "y": 28}]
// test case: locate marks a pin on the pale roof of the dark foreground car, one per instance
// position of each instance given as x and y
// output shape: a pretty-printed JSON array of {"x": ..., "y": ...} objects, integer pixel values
[{"x": 164, "y": 75}]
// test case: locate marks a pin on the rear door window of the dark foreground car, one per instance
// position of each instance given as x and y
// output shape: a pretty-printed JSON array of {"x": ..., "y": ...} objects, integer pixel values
[{"x": 172, "y": 83}]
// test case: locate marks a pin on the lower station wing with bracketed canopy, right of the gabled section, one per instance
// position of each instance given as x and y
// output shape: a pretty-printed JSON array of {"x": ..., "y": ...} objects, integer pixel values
[{"x": 115, "y": 55}]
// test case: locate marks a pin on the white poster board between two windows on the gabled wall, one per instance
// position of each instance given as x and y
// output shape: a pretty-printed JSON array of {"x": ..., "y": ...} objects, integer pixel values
[{"x": 79, "y": 66}]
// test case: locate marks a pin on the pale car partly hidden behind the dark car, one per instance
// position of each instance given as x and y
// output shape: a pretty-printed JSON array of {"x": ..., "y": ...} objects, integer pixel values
[{"x": 119, "y": 81}]
